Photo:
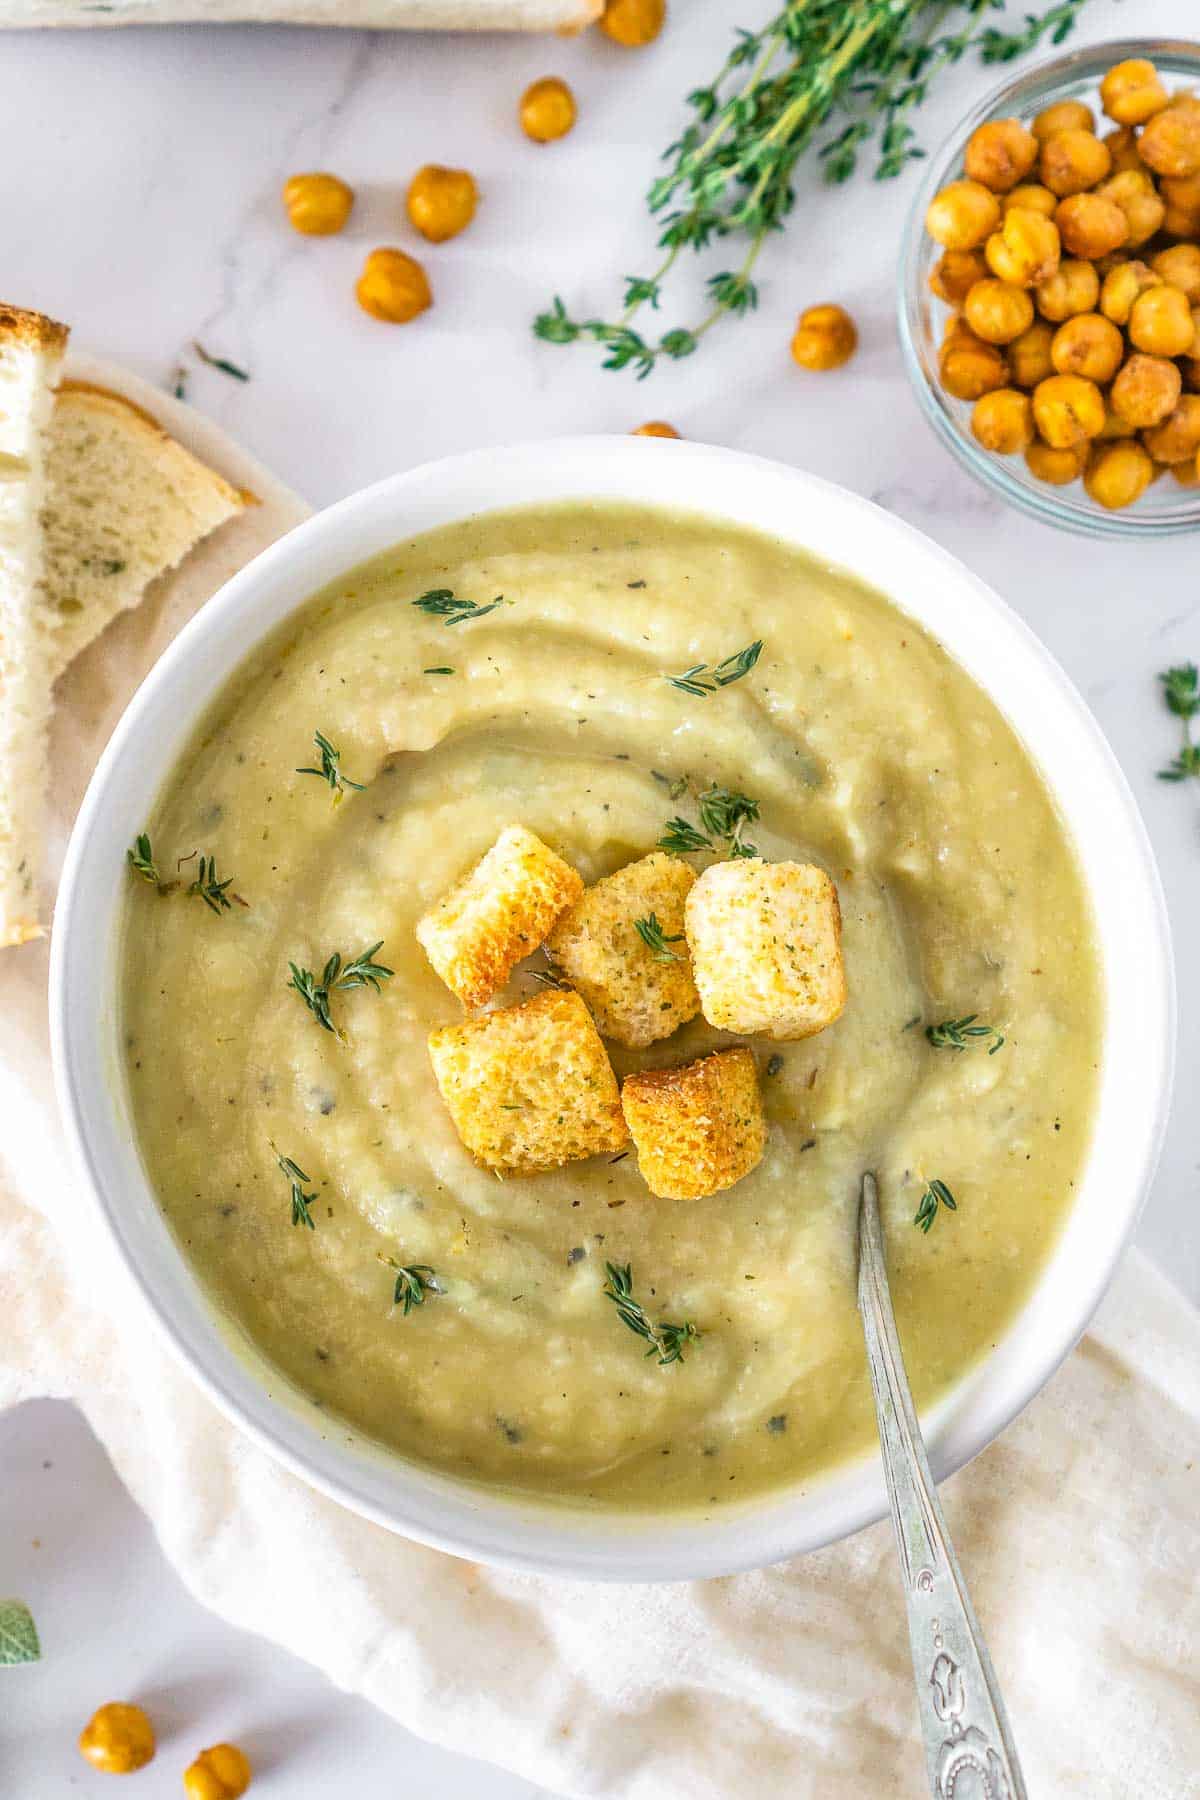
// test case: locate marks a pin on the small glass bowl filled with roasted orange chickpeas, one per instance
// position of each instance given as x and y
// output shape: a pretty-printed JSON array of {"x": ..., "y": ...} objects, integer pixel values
[{"x": 1050, "y": 291}]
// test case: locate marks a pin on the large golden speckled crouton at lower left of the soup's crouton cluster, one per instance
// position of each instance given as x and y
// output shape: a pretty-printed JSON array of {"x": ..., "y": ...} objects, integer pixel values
[{"x": 532, "y": 1086}]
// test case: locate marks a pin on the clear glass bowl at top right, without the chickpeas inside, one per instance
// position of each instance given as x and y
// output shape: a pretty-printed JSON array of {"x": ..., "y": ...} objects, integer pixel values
[{"x": 1165, "y": 508}]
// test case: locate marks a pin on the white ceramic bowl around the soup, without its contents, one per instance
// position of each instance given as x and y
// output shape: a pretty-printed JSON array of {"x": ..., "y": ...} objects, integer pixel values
[{"x": 989, "y": 642}]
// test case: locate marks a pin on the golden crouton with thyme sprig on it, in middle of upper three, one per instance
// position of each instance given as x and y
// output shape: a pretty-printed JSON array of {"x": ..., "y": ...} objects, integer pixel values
[{"x": 638, "y": 982}]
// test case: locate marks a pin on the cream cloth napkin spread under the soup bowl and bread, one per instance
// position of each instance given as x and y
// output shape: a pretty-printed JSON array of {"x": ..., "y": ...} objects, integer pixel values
[{"x": 1080, "y": 1529}]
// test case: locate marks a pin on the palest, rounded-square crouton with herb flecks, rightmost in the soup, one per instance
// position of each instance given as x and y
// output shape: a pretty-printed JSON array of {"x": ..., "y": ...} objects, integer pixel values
[{"x": 767, "y": 948}]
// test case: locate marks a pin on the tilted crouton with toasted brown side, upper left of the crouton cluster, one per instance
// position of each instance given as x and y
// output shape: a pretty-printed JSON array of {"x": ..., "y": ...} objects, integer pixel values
[{"x": 497, "y": 915}]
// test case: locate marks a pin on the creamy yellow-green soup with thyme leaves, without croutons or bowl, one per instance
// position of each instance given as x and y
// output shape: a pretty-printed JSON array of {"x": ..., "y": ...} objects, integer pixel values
[{"x": 587, "y": 674}]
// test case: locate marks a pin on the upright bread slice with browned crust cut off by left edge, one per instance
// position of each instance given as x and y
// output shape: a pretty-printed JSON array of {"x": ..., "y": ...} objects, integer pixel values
[{"x": 31, "y": 354}]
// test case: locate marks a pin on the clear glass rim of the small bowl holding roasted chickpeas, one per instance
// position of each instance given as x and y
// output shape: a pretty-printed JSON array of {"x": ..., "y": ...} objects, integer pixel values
[{"x": 1053, "y": 507}]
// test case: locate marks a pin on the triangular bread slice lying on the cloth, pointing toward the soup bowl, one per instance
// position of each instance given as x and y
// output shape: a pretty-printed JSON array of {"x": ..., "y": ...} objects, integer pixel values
[{"x": 125, "y": 503}]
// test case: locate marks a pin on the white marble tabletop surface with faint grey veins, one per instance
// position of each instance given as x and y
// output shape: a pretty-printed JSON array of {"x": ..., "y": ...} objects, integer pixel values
[{"x": 139, "y": 202}]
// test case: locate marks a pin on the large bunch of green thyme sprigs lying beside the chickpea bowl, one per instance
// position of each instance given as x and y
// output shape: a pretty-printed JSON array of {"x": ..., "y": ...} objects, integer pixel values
[{"x": 730, "y": 174}]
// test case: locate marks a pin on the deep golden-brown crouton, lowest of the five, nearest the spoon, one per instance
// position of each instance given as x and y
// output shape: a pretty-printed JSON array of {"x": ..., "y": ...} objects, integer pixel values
[{"x": 697, "y": 1129}]
